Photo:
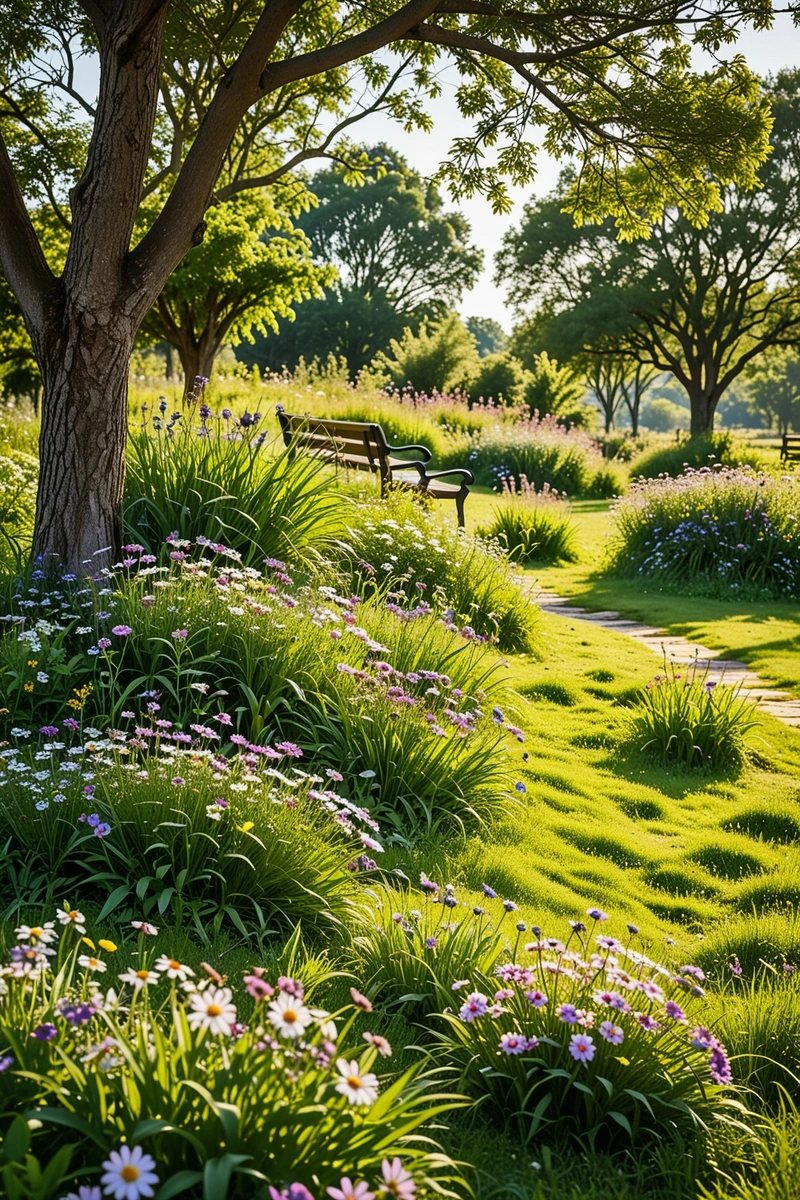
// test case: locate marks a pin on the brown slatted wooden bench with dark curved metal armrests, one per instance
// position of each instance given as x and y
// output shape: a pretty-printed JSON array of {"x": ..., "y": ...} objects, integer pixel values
[{"x": 364, "y": 447}]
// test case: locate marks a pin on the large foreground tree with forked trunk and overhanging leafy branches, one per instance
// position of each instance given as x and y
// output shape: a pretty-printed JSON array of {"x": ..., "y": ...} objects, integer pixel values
[{"x": 179, "y": 83}]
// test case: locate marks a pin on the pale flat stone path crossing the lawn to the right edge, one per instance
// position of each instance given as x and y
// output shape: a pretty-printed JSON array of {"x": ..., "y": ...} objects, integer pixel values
[{"x": 682, "y": 652}]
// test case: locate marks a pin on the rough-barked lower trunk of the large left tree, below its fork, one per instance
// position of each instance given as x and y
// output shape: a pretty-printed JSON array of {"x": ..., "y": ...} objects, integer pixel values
[{"x": 82, "y": 445}]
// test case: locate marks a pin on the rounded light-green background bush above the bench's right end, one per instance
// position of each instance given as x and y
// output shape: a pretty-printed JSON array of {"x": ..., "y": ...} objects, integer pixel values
[{"x": 440, "y": 358}]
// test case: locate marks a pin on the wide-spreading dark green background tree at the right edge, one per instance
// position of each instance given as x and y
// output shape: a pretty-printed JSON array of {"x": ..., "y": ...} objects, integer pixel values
[{"x": 701, "y": 303}]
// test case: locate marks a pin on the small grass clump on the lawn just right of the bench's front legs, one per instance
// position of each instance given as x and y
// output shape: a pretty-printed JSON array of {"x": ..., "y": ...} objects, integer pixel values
[{"x": 533, "y": 526}]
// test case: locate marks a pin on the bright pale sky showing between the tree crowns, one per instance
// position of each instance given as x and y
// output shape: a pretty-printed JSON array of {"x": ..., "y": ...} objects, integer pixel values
[{"x": 766, "y": 52}]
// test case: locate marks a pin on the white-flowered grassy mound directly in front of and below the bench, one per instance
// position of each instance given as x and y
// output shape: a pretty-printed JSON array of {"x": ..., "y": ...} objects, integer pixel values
[{"x": 405, "y": 550}]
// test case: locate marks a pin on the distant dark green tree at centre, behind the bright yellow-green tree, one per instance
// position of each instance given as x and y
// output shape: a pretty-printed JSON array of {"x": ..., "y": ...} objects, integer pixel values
[{"x": 401, "y": 260}]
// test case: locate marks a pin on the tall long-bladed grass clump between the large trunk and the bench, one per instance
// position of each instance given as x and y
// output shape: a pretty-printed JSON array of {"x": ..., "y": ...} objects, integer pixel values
[{"x": 221, "y": 481}]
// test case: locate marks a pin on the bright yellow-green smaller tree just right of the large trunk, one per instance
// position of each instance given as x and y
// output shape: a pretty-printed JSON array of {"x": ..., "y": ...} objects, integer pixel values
[{"x": 250, "y": 269}]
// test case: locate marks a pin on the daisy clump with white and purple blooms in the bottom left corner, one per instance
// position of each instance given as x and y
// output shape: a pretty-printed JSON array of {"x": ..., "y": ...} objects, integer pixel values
[{"x": 167, "y": 1079}]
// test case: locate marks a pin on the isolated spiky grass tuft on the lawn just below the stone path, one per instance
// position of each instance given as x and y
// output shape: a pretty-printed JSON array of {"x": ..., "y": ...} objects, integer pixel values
[{"x": 688, "y": 721}]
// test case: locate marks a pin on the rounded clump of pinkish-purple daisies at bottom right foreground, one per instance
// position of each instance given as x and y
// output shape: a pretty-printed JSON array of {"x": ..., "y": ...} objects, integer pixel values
[{"x": 588, "y": 1035}]
